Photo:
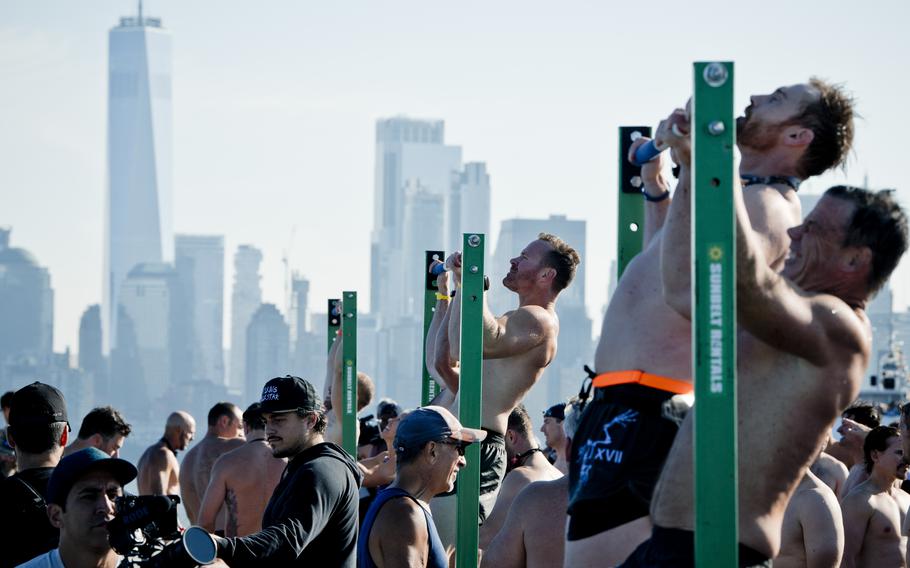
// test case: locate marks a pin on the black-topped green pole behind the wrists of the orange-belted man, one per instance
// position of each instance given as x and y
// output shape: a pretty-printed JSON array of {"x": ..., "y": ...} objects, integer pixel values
[{"x": 630, "y": 205}]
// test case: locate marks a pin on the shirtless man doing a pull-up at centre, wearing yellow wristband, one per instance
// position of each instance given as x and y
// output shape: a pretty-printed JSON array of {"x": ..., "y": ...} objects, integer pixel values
[{"x": 517, "y": 346}]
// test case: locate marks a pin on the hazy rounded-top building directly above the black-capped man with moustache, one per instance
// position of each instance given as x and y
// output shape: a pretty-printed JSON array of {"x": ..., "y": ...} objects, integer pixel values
[{"x": 267, "y": 343}]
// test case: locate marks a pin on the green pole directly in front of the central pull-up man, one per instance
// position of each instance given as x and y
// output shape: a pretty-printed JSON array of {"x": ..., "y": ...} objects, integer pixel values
[{"x": 469, "y": 394}]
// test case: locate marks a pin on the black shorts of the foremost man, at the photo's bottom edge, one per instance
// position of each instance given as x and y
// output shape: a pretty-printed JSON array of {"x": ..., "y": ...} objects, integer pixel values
[{"x": 675, "y": 548}]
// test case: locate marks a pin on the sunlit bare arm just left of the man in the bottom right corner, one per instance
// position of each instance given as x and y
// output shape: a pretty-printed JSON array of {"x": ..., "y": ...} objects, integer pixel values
[{"x": 823, "y": 530}]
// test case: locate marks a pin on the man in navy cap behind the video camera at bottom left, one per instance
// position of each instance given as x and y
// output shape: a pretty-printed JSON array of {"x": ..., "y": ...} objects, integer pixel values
[{"x": 80, "y": 498}]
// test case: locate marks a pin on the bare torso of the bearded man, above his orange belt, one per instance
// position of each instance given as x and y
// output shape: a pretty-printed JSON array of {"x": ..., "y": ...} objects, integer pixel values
[{"x": 641, "y": 332}]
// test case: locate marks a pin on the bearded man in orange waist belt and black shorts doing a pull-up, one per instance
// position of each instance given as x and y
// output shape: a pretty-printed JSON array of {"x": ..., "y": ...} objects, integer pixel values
[{"x": 644, "y": 358}]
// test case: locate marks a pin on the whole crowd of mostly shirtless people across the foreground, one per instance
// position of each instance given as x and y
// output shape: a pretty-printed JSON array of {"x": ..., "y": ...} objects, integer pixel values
[{"x": 612, "y": 485}]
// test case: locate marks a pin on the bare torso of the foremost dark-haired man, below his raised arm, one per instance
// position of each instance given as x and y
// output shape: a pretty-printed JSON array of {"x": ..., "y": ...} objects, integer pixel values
[{"x": 778, "y": 394}]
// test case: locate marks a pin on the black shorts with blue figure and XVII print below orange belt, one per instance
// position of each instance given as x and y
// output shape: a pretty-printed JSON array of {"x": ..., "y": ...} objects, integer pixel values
[{"x": 618, "y": 451}]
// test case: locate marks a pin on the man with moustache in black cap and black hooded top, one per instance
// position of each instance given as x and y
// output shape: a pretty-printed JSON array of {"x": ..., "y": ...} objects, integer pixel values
[{"x": 313, "y": 513}]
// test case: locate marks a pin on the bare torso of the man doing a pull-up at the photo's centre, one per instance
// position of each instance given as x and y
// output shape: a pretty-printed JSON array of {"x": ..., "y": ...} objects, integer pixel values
[{"x": 507, "y": 380}]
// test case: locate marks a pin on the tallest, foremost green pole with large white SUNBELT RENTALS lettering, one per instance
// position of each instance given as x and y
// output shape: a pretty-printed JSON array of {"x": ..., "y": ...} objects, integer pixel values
[{"x": 714, "y": 316}]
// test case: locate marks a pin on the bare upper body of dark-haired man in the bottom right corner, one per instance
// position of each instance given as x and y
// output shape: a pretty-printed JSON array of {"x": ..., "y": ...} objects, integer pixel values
[{"x": 882, "y": 513}]
